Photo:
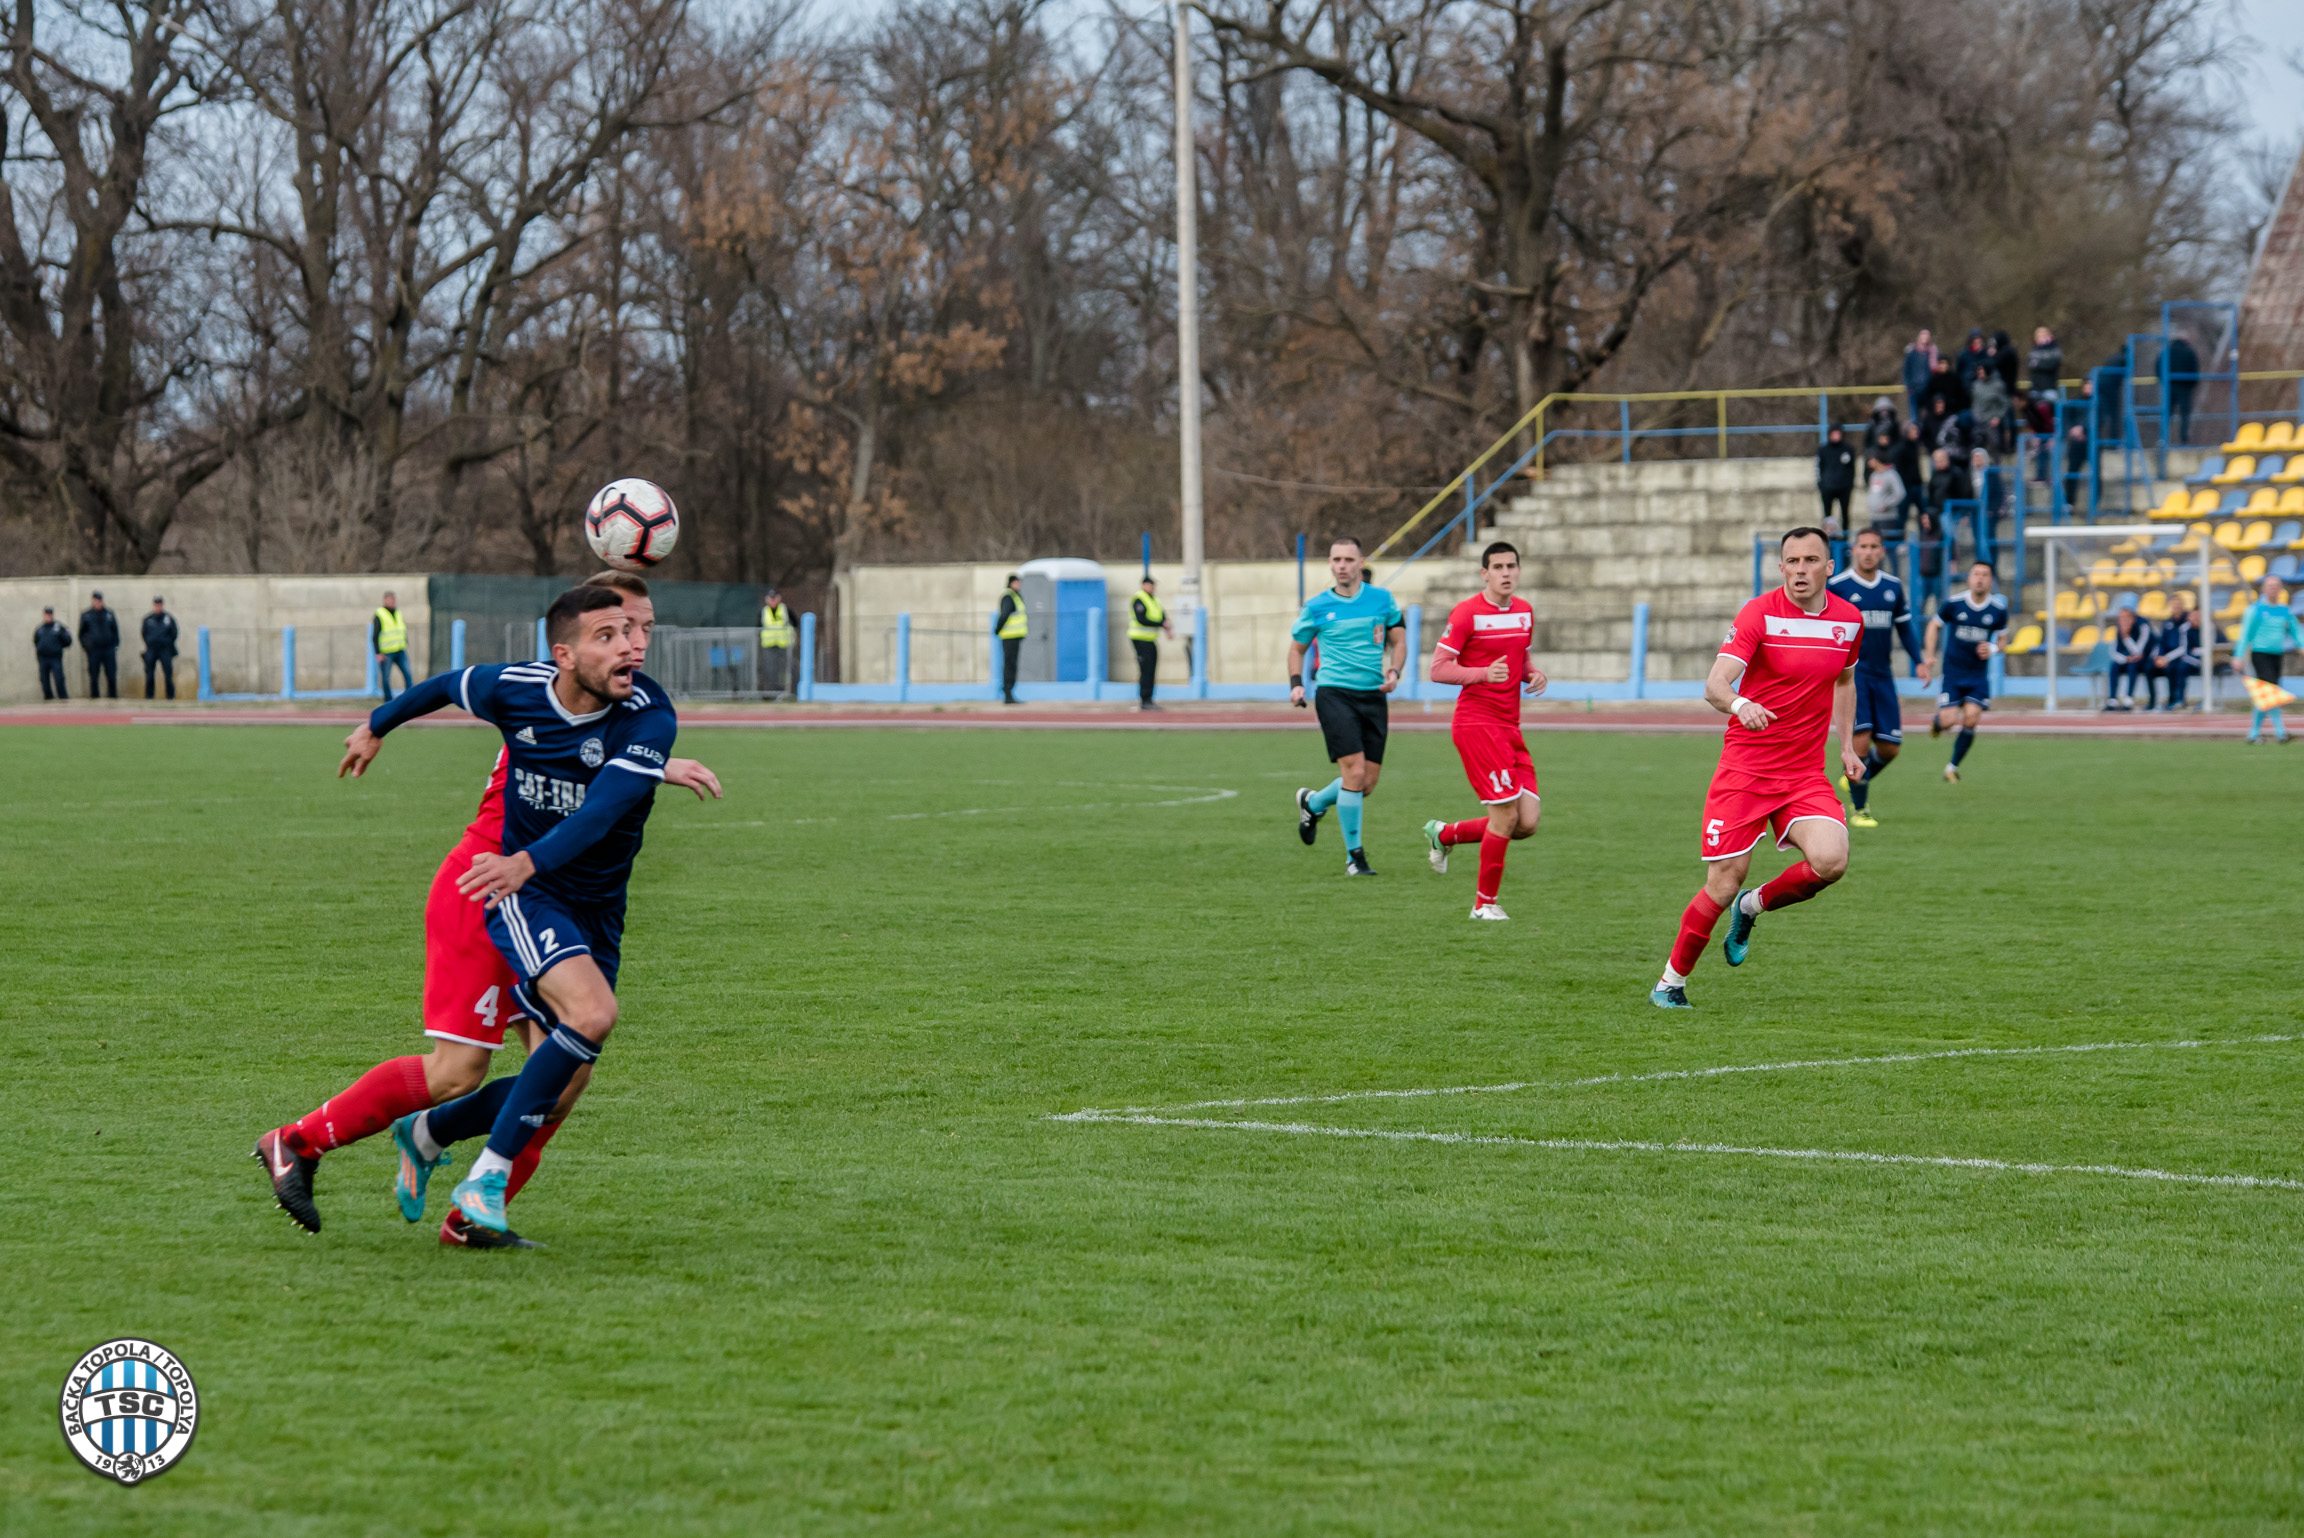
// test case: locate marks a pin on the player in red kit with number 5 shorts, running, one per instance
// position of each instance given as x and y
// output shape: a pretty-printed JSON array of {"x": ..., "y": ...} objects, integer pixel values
[{"x": 1784, "y": 680}]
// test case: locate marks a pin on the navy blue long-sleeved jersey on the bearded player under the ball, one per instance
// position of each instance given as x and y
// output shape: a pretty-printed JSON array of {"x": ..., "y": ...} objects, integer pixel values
[{"x": 577, "y": 789}]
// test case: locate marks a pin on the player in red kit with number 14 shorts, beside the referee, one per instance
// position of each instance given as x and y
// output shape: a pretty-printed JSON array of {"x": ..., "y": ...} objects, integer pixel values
[{"x": 1485, "y": 653}]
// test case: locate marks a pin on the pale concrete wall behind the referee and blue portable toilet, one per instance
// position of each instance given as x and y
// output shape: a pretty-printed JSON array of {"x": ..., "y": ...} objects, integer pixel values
[{"x": 1252, "y": 604}]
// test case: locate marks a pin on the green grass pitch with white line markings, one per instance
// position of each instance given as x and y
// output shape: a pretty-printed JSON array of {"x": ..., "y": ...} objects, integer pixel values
[{"x": 824, "y": 1265}]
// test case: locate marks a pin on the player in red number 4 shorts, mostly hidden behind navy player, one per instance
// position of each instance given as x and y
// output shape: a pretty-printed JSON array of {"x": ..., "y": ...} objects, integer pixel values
[{"x": 467, "y": 1005}]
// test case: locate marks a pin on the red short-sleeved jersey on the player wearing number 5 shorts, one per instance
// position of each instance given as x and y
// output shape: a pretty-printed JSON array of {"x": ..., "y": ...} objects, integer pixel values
[{"x": 1791, "y": 662}]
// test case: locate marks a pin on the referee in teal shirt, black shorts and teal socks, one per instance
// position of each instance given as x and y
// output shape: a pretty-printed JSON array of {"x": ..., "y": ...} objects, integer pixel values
[{"x": 1363, "y": 646}]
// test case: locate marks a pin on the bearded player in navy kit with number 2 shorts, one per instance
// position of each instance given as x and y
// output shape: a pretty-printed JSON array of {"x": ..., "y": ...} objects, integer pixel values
[{"x": 586, "y": 740}]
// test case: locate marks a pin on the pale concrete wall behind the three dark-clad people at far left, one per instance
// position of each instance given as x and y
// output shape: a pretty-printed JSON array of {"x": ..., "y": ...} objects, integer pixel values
[{"x": 243, "y": 614}]
